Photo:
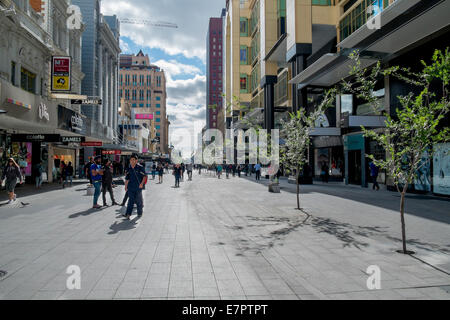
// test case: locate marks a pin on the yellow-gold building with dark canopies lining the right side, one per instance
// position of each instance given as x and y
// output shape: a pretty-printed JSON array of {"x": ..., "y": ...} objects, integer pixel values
[{"x": 281, "y": 55}]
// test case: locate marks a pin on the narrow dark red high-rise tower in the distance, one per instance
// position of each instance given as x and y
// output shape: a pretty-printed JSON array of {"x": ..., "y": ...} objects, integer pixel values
[{"x": 214, "y": 72}]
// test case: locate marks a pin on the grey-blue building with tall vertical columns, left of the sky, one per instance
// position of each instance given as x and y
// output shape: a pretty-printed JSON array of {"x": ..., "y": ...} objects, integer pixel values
[{"x": 100, "y": 63}]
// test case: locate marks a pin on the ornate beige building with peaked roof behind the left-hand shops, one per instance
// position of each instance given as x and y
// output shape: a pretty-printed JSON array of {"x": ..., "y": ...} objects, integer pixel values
[{"x": 144, "y": 86}]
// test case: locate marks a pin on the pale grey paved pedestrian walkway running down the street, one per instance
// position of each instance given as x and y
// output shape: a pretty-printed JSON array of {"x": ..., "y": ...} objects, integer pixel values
[{"x": 217, "y": 239}]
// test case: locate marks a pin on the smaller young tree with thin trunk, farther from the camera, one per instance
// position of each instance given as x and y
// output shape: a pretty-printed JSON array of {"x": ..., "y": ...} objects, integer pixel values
[{"x": 297, "y": 130}]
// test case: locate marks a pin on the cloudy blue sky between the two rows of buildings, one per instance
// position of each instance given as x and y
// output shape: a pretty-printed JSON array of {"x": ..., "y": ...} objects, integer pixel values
[{"x": 180, "y": 52}]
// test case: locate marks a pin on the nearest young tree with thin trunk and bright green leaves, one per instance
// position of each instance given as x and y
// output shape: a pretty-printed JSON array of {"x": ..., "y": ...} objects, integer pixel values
[{"x": 416, "y": 127}]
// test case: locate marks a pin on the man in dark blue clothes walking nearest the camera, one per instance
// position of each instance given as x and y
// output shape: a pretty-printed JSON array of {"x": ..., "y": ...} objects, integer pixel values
[{"x": 135, "y": 181}]
